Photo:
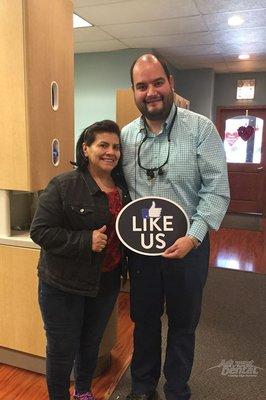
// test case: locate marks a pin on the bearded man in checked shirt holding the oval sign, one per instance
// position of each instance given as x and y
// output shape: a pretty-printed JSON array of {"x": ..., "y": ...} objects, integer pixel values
[{"x": 176, "y": 154}]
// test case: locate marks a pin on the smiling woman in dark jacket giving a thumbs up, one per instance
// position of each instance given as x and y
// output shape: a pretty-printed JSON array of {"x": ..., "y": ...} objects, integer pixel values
[{"x": 80, "y": 262}]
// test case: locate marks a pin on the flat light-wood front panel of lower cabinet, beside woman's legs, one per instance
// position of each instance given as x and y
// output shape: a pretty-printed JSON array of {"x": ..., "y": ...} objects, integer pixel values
[{"x": 20, "y": 319}]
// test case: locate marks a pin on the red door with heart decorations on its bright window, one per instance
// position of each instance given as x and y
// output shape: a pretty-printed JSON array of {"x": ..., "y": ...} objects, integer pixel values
[{"x": 244, "y": 136}]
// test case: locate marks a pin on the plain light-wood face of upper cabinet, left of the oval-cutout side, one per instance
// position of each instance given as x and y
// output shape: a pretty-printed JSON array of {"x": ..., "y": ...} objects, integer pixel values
[{"x": 13, "y": 160}]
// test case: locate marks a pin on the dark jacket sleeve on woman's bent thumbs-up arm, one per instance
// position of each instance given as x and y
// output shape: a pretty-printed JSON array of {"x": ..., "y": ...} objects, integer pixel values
[{"x": 48, "y": 228}]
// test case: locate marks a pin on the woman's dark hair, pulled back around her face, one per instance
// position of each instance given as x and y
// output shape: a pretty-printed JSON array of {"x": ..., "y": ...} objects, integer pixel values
[{"x": 88, "y": 136}]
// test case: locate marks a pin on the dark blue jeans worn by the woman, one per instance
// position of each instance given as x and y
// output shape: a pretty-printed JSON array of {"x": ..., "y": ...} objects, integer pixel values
[{"x": 74, "y": 328}]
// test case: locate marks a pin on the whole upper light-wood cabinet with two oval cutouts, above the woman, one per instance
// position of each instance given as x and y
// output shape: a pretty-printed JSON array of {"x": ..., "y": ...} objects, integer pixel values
[{"x": 36, "y": 40}]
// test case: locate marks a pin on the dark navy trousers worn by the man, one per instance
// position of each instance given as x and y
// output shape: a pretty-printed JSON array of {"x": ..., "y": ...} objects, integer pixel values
[{"x": 156, "y": 282}]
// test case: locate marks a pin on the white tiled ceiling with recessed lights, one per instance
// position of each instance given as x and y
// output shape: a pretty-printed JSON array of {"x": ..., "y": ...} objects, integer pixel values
[{"x": 188, "y": 33}]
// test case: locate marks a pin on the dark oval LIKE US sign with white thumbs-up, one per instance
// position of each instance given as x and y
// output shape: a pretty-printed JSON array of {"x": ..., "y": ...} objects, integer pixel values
[{"x": 149, "y": 225}]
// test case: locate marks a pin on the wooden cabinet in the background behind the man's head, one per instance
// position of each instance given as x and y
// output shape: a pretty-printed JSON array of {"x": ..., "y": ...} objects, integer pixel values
[{"x": 126, "y": 110}]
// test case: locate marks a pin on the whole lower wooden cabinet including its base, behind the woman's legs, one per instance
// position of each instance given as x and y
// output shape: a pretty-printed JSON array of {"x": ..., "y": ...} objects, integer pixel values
[{"x": 20, "y": 318}]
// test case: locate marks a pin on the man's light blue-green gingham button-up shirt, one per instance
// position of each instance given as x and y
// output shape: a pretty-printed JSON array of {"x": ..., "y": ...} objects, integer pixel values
[{"x": 195, "y": 175}]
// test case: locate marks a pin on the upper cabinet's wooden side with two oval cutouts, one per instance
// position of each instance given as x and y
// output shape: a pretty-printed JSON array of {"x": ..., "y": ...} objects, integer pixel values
[{"x": 49, "y": 58}]
